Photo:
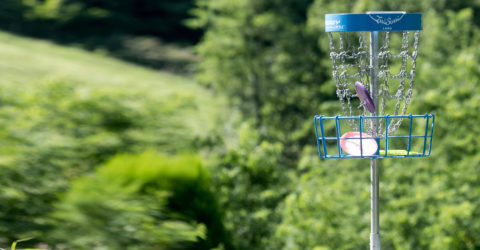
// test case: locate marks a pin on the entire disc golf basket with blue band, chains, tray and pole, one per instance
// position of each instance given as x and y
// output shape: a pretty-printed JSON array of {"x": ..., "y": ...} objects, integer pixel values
[{"x": 375, "y": 51}]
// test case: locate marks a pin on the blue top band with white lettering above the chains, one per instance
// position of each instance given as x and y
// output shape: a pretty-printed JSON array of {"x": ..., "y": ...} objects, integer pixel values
[{"x": 373, "y": 21}]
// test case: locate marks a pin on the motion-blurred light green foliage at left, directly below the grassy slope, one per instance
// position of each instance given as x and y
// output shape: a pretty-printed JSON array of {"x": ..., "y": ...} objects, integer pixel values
[{"x": 55, "y": 132}]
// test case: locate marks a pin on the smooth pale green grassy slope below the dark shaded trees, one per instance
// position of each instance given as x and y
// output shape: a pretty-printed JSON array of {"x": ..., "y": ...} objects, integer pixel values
[{"x": 26, "y": 61}]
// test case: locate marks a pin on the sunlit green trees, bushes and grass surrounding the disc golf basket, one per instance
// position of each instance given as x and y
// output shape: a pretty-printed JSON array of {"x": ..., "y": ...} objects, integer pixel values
[{"x": 97, "y": 153}]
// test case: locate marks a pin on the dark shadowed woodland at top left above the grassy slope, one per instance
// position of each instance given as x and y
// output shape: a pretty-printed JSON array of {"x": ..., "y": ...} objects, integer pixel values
[{"x": 148, "y": 33}]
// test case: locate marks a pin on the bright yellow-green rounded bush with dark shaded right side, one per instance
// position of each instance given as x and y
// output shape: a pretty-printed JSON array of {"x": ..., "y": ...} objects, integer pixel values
[{"x": 145, "y": 201}]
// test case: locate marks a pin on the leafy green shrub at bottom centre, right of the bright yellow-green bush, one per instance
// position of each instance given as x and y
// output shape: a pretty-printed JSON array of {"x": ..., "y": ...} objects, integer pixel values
[{"x": 250, "y": 180}]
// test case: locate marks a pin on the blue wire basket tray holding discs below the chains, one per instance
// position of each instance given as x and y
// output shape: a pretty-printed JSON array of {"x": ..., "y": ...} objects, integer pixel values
[{"x": 414, "y": 140}]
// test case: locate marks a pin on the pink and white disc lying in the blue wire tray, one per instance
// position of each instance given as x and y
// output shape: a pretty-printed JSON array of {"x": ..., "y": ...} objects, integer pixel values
[{"x": 352, "y": 146}]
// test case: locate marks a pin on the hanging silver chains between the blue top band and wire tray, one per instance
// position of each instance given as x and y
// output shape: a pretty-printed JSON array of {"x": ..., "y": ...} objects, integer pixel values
[{"x": 350, "y": 60}]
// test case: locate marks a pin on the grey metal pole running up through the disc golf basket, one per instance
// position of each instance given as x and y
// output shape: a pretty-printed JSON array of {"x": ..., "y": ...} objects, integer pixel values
[{"x": 374, "y": 164}]
